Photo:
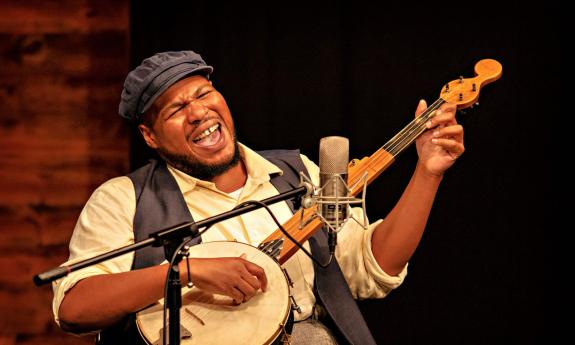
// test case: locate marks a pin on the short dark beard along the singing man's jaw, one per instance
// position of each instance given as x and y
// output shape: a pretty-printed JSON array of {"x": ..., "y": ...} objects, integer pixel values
[{"x": 193, "y": 167}]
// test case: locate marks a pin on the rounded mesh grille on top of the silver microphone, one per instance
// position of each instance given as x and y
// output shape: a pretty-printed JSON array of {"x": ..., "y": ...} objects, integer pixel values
[{"x": 333, "y": 155}]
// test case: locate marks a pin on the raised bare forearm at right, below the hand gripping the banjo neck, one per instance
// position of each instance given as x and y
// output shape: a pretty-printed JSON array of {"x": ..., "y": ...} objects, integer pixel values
[{"x": 396, "y": 238}]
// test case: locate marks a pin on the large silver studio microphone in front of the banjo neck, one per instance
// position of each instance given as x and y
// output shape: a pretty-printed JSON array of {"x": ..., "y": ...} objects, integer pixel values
[{"x": 334, "y": 192}]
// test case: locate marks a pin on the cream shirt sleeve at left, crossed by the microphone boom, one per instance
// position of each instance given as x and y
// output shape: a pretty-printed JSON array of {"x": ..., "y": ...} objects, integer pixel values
[{"x": 104, "y": 224}]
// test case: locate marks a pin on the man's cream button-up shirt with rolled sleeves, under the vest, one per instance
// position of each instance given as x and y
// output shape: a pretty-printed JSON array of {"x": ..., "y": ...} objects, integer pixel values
[{"x": 106, "y": 224}]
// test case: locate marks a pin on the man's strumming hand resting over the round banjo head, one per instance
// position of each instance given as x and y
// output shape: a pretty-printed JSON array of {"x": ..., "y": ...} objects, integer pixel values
[{"x": 234, "y": 277}]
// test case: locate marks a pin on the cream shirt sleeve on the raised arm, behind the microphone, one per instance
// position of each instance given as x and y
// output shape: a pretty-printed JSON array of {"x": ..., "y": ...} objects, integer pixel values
[{"x": 363, "y": 274}]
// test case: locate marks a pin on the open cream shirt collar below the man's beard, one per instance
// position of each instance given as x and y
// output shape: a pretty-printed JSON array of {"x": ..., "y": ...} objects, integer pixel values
[{"x": 258, "y": 168}]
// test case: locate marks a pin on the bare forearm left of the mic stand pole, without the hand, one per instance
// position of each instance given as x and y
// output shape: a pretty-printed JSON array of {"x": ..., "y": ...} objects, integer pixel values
[{"x": 100, "y": 301}]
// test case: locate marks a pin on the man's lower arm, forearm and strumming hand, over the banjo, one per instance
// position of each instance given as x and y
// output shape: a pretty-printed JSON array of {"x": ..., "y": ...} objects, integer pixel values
[{"x": 103, "y": 300}]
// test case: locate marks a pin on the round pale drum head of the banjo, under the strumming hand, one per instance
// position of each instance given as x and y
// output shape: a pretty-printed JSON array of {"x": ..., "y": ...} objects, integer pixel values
[{"x": 258, "y": 321}]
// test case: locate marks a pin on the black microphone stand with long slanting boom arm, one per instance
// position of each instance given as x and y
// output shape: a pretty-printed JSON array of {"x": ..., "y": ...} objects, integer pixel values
[{"x": 173, "y": 234}]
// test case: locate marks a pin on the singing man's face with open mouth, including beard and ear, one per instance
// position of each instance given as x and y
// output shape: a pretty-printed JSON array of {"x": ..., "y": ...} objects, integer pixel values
[{"x": 193, "y": 130}]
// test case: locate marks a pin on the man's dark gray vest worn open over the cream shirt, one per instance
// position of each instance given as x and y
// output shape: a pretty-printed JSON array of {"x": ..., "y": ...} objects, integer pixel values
[{"x": 160, "y": 204}]
